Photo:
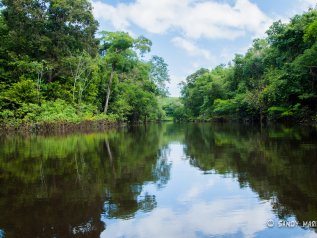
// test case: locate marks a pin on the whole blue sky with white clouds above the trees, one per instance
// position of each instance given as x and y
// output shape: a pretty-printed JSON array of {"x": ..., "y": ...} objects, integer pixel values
[{"x": 191, "y": 34}]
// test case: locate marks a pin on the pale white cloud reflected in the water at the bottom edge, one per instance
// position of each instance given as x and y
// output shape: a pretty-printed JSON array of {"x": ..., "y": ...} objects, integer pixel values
[{"x": 214, "y": 218}]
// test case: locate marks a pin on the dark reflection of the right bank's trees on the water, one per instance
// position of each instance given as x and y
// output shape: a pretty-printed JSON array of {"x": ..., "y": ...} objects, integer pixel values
[{"x": 280, "y": 164}]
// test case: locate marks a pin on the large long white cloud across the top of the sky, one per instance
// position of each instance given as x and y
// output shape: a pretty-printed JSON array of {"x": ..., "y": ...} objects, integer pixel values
[{"x": 194, "y": 18}]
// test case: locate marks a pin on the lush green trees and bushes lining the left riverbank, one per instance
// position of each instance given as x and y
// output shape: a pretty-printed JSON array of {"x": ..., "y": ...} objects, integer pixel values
[{"x": 56, "y": 66}]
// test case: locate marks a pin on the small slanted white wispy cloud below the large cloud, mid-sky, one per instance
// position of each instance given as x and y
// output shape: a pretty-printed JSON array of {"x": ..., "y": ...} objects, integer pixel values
[{"x": 191, "y": 48}]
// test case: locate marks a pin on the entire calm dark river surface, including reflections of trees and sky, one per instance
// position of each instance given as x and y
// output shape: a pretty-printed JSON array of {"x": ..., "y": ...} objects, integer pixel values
[{"x": 168, "y": 180}]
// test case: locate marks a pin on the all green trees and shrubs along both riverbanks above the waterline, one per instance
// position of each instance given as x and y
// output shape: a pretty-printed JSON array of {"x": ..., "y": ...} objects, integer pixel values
[{"x": 57, "y": 68}]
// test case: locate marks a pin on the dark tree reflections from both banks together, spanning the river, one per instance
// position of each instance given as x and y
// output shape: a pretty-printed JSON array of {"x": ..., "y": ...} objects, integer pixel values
[{"x": 65, "y": 186}]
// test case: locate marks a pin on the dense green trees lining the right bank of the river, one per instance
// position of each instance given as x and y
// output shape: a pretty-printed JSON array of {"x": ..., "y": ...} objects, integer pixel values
[{"x": 275, "y": 80}]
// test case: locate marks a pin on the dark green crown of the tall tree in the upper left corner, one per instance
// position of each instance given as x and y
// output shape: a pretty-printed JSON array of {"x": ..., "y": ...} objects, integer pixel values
[{"x": 47, "y": 30}]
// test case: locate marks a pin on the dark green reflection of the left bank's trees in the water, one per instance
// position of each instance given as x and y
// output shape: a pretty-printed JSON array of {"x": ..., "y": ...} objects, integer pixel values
[{"x": 57, "y": 186}]
